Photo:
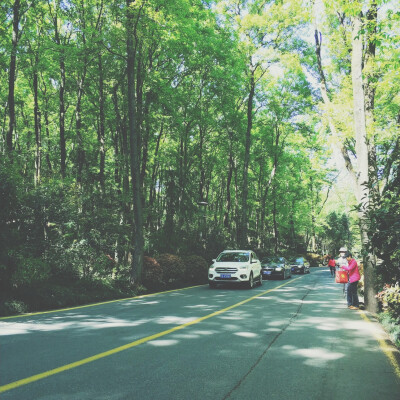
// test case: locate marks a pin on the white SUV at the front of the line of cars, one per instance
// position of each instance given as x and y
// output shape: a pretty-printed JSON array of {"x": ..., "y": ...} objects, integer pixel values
[{"x": 236, "y": 267}]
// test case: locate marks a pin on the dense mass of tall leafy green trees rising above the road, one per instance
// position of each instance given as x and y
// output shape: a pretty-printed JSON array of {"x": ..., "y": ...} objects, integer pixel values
[{"x": 132, "y": 128}]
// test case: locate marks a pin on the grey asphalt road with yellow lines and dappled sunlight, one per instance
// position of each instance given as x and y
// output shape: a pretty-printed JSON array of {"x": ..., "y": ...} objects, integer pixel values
[{"x": 292, "y": 339}]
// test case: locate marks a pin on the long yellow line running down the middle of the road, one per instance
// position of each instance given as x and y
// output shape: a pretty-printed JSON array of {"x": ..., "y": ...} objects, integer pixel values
[{"x": 34, "y": 378}]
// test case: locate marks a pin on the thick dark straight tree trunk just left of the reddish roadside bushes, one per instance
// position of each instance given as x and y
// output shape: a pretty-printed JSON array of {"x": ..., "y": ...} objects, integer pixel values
[{"x": 137, "y": 262}]
